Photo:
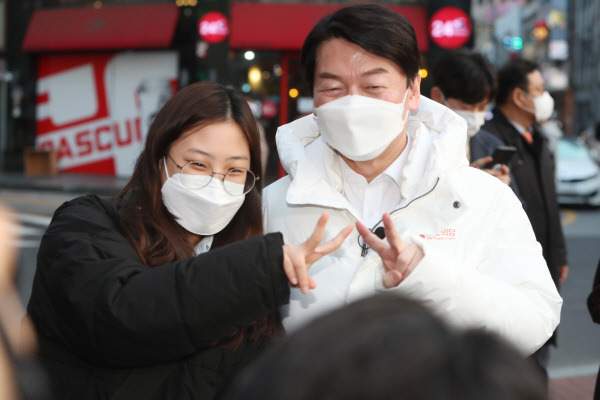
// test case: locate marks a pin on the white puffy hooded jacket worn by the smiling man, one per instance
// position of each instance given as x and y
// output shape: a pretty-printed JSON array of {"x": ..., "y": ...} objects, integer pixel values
[{"x": 482, "y": 266}]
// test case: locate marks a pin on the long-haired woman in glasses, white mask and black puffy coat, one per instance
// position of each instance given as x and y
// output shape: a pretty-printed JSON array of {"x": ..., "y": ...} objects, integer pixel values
[{"x": 166, "y": 291}]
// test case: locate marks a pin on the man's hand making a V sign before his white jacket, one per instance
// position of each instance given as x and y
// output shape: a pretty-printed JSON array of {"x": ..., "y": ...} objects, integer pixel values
[{"x": 399, "y": 258}]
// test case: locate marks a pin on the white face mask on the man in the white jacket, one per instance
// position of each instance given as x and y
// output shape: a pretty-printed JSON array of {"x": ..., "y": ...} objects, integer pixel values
[{"x": 360, "y": 127}]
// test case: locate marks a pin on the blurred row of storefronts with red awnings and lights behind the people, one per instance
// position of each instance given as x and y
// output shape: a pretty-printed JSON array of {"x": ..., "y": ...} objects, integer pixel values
[{"x": 82, "y": 79}]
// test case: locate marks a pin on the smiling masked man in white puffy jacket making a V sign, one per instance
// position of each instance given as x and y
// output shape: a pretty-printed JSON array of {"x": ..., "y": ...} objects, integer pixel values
[{"x": 378, "y": 154}]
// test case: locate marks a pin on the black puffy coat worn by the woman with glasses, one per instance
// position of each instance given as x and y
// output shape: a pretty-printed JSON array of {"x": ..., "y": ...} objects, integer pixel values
[{"x": 110, "y": 328}]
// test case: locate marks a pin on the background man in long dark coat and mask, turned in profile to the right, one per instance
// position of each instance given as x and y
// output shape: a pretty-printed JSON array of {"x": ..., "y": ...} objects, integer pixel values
[{"x": 521, "y": 104}]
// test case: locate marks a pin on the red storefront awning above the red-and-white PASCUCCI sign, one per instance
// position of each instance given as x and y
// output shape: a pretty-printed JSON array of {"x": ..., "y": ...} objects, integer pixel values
[{"x": 148, "y": 26}]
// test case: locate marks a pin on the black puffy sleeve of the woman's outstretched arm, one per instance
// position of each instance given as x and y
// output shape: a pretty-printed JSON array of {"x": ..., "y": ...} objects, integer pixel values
[{"x": 93, "y": 294}]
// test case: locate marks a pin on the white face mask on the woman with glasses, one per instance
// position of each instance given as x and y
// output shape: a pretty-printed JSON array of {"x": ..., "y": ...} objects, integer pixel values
[{"x": 204, "y": 211}]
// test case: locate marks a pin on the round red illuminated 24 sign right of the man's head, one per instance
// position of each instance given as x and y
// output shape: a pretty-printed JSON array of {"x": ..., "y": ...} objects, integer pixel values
[{"x": 450, "y": 27}]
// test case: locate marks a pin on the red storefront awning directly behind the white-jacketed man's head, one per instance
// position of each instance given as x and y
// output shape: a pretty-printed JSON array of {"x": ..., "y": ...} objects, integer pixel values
[{"x": 284, "y": 26}]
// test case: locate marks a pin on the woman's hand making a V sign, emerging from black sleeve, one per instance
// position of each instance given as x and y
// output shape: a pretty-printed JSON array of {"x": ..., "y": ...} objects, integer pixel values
[{"x": 297, "y": 258}]
